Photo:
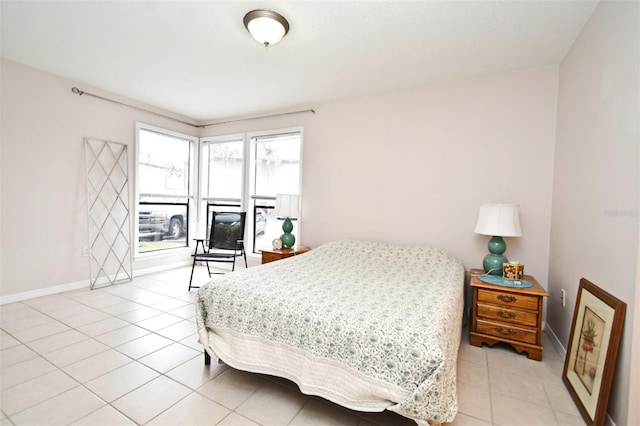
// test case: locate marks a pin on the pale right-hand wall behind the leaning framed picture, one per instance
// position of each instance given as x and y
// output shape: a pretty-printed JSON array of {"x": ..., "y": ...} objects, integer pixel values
[{"x": 594, "y": 229}]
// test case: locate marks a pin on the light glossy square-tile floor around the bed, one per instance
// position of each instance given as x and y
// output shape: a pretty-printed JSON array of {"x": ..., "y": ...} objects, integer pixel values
[{"x": 127, "y": 354}]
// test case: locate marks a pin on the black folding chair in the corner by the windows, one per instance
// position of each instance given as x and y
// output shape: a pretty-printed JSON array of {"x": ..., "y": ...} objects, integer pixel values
[{"x": 225, "y": 243}]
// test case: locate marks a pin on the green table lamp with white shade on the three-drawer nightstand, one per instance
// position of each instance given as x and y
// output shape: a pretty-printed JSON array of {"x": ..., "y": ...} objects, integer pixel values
[{"x": 497, "y": 220}]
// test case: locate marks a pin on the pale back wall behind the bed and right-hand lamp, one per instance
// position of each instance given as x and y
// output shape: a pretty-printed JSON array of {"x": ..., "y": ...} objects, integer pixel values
[{"x": 413, "y": 166}]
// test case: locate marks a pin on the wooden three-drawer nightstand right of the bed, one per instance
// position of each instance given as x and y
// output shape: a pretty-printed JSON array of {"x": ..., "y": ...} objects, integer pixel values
[{"x": 508, "y": 314}]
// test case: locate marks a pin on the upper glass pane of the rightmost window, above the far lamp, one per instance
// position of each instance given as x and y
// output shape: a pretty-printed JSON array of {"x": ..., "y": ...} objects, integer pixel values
[{"x": 277, "y": 165}]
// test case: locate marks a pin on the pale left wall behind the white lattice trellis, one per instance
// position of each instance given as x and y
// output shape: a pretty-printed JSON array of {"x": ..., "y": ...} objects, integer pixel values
[{"x": 43, "y": 193}]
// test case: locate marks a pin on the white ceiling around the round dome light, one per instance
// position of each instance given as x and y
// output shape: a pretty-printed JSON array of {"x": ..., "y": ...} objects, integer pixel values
[{"x": 196, "y": 58}]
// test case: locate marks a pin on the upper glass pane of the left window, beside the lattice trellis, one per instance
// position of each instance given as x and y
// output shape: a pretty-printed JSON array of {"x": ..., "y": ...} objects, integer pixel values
[{"x": 163, "y": 165}]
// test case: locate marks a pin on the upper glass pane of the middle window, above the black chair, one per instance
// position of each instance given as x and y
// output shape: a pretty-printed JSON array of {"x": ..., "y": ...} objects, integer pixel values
[{"x": 223, "y": 169}]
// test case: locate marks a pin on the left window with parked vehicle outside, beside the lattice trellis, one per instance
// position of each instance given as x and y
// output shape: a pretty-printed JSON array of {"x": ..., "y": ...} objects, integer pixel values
[{"x": 165, "y": 188}]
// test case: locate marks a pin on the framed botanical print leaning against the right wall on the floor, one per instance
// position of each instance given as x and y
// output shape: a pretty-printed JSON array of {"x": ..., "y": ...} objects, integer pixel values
[{"x": 593, "y": 348}]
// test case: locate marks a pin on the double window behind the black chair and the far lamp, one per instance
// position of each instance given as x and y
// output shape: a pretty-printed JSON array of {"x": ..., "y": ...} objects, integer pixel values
[{"x": 233, "y": 180}]
